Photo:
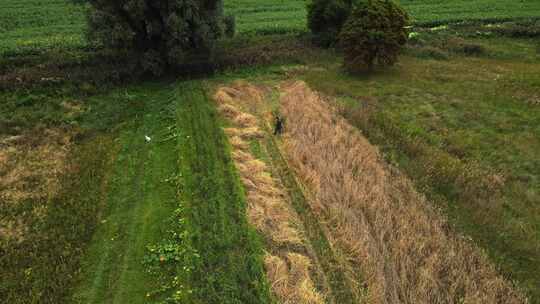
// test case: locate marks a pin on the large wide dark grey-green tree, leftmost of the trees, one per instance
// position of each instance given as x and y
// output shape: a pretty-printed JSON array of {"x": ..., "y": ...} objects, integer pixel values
[{"x": 159, "y": 33}]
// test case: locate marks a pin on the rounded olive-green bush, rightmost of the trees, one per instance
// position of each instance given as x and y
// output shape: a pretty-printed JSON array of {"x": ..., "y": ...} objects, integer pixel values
[{"x": 374, "y": 34}]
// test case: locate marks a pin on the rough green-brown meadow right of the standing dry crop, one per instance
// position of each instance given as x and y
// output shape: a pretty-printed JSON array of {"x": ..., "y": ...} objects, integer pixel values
[{"x": 470, "y": 148}]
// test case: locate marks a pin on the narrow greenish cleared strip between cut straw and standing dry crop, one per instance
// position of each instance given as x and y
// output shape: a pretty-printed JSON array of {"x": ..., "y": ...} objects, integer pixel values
[{"x": 341, "y": 290}]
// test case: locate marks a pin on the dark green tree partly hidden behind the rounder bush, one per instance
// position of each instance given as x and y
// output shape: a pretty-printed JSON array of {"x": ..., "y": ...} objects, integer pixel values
[{"x": 326, "y": 18}]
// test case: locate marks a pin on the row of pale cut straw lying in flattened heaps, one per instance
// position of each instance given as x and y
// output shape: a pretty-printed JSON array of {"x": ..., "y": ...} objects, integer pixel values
[{"x": 267, "y": 209}]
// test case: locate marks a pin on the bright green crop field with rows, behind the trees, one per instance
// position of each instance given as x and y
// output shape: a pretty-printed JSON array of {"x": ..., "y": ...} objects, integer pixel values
[{"x": 30, "y": 26}]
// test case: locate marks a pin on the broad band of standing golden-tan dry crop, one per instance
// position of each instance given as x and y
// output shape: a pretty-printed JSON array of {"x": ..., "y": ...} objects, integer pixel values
[{"x": 404, "y": 248}]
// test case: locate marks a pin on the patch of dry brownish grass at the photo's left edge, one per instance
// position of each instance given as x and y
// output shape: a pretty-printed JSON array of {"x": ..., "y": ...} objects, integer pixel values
[{"x": 31, "y": 165}]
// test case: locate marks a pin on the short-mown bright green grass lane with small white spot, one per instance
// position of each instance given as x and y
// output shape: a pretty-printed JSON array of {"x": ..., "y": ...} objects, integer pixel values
[{"x": 138, "y": 202}]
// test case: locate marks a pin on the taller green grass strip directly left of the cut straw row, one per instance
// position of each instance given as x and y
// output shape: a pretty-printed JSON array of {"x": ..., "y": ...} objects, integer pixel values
[{"x": 229, "y": 268}]
